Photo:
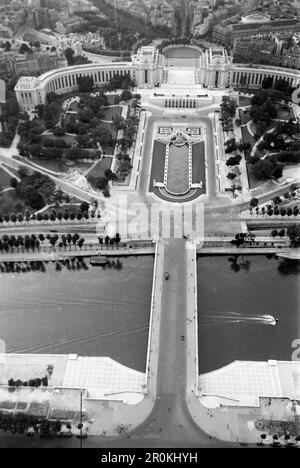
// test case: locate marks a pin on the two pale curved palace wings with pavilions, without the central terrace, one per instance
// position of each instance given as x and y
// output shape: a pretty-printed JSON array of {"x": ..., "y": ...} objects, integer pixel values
[{"x": 214, "y": 69}]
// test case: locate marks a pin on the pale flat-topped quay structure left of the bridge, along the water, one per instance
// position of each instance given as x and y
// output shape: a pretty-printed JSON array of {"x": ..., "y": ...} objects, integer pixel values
[{"x": 99, "y": 377}]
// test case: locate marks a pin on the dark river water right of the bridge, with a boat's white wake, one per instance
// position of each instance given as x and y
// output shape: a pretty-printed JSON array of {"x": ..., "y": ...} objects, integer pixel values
[{"x": 233, "y": 297}]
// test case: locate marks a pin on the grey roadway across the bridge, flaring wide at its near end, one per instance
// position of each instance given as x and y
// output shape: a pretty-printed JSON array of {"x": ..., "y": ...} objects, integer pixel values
[{"x": 170, "y": 423}]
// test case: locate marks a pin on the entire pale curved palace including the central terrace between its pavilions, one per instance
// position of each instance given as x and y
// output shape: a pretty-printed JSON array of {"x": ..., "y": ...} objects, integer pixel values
[{"x": 212, "y": 69}]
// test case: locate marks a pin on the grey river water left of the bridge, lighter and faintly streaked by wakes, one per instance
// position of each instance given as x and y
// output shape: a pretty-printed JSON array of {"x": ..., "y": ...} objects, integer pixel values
[{"x": 80, "y": 309}]
